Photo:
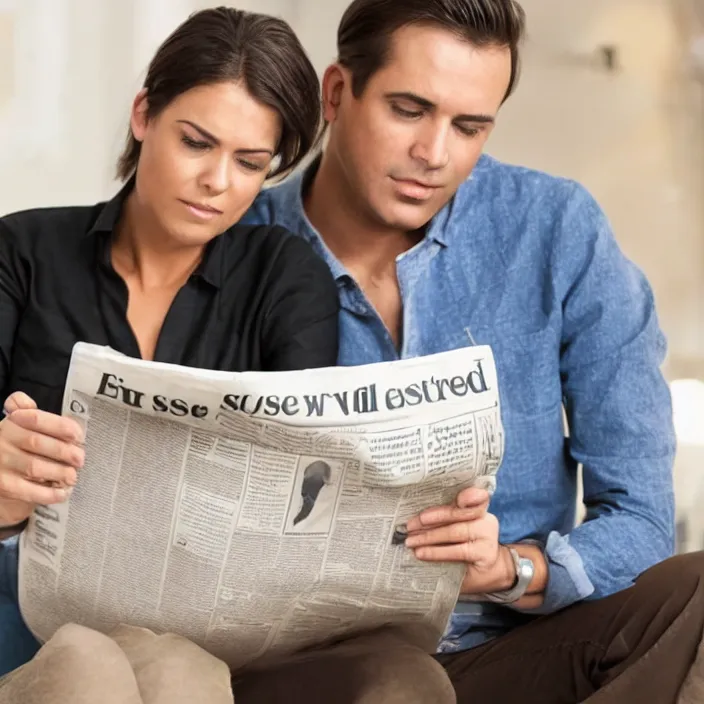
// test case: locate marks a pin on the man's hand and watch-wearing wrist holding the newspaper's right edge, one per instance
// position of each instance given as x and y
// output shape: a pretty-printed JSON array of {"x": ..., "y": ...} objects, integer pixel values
[{"x": 466, "y": 532}]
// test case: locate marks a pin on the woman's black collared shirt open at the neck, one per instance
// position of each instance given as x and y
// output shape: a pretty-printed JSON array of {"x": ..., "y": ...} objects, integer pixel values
[{"x": 261, "y": 300}]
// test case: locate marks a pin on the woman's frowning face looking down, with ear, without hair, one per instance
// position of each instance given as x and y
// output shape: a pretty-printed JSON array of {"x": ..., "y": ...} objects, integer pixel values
[{"x": 204, "y": 159}]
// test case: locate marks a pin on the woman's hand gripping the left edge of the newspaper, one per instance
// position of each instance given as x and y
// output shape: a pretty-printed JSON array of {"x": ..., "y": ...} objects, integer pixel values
[{"x": 40, "y": 455}]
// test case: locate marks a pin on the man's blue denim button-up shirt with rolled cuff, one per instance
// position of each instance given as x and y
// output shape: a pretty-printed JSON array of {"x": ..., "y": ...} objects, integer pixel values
[{"x": 527, "y": 263}]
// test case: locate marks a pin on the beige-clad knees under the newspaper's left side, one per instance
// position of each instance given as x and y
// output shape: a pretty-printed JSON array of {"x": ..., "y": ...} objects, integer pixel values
[{"x": 131, "y": 666}]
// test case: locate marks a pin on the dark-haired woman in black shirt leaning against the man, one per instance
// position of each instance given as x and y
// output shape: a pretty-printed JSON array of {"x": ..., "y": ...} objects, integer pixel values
[{"x": 163, "y": 271}]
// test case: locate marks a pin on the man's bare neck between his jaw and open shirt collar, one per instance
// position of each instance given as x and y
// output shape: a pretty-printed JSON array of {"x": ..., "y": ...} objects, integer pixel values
[{"x": 355, "y": 239}]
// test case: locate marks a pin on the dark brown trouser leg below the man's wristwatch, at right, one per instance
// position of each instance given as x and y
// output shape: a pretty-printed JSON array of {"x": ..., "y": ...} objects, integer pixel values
[{"x": 635, "y": 647}]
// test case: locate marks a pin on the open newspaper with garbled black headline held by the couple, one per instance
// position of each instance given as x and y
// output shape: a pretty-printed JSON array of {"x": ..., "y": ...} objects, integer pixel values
[{"x": 260, "y": 513}]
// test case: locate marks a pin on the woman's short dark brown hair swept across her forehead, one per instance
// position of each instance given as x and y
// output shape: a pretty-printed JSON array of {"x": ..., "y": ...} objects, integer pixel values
[{"x": 223, "y": 44}]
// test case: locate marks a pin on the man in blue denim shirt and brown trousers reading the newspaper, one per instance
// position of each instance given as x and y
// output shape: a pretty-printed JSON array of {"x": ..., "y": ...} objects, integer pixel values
[{"x": 434, "y": 247}]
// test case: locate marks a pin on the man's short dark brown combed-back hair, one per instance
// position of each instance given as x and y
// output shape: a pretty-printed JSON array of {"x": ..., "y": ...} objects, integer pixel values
[{"x": 365, "y": 33}]
